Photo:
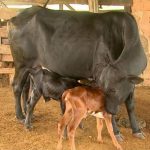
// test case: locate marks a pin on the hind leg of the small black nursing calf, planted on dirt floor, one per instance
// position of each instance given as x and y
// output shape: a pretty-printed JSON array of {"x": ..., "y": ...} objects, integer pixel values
[{"x": 35, "y": 96}]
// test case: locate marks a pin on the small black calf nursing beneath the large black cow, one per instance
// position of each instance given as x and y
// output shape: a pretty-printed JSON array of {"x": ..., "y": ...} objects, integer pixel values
[{"x": 48, "y": 84}]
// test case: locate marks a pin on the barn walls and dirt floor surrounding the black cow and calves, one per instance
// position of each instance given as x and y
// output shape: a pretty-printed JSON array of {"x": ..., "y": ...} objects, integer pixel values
[{"x": 42, "y": 137}]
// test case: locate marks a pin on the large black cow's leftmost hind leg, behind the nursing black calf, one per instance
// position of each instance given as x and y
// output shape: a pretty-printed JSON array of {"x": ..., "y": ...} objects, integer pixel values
[{"x": 18, "y": 83}]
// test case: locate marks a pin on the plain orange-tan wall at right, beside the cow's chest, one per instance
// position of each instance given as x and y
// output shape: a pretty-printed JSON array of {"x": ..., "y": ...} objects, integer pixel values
[{"x": 141, "y": 11}]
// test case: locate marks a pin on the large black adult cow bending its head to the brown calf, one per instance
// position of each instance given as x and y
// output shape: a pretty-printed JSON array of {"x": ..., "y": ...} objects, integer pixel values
[{"x": 105, "y": 47}]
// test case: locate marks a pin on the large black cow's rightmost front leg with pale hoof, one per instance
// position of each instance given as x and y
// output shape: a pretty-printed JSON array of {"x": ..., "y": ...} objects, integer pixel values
[{"x": 134, "y": 125}]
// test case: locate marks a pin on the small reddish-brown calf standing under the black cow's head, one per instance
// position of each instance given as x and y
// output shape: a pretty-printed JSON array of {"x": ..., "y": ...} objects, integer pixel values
[{"x": 81, "y": 101}]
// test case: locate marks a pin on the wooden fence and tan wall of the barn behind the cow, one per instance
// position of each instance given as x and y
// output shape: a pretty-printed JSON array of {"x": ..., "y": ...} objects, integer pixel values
[{"x": 10, "y": 8}]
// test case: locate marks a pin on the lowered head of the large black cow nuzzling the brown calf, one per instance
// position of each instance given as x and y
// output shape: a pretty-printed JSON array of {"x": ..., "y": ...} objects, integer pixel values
[{"x": 117, "y": 86}]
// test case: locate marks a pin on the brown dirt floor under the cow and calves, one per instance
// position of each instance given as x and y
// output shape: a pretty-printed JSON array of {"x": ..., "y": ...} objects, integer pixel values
[{"x": 14, "y": 136}]
